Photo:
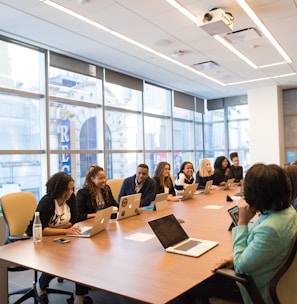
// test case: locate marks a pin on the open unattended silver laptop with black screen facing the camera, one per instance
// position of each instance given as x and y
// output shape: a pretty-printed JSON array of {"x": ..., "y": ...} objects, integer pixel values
[{"x": 174, "y": 239}]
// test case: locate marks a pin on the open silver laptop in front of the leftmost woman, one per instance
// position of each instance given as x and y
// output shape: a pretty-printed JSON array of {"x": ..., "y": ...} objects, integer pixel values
[{"x": 99, "y": 224}]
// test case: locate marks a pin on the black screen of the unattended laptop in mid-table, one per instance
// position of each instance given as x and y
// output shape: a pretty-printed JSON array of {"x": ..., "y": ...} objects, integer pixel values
[{"x": 168, "y": 230}]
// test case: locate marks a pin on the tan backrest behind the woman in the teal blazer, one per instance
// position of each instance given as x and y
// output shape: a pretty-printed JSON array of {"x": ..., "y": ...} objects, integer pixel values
[{"x": 283, "y": 286}]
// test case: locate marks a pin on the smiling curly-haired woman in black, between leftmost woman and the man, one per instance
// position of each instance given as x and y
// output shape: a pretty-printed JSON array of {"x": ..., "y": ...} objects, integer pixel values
[{"x": 94, "y": 195}]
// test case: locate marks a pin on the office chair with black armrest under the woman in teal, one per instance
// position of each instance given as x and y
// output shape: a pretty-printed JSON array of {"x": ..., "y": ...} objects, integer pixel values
[{"x": 282, "y": 286}]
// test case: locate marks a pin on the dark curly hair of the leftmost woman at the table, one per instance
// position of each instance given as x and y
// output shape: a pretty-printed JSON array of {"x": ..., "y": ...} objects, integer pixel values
[{"x": 57, "y": 184}]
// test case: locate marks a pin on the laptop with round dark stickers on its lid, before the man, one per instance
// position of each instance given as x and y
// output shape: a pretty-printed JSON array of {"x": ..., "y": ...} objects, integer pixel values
[{"x": 129, "y": 206}]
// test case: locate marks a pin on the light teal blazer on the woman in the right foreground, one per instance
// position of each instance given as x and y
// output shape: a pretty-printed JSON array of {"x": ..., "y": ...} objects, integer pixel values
[{"x": 261, "y": 250}]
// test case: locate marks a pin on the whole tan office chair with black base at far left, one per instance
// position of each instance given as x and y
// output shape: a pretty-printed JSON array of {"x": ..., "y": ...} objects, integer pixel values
[{"x": 18, "y": 209}]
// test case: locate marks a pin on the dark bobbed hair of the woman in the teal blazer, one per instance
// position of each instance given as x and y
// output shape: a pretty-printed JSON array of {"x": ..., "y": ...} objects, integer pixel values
[{"x": 267, "y": 187}]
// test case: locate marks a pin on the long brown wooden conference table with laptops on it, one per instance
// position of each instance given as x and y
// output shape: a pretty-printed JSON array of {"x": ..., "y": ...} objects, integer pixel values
[{"x": 127, "y": 259}]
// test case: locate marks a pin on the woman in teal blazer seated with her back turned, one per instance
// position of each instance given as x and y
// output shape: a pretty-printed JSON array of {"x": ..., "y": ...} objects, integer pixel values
[{"x": 254, "y": 248}]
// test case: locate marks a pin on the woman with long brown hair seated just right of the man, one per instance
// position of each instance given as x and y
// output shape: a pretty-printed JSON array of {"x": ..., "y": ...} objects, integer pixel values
[{"x": 164, "y": 182}]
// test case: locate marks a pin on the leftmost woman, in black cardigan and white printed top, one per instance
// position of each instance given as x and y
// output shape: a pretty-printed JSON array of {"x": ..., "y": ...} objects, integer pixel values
[{"x": 58, "y": 213}]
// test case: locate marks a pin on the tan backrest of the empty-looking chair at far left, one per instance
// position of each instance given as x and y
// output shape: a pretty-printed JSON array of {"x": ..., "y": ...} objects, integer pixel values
[{"x": 18, "y": 209}]
